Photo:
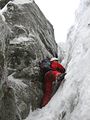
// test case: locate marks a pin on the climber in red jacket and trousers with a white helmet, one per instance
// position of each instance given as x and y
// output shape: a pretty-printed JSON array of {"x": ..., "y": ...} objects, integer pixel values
[{"x": 56, "y": 71}]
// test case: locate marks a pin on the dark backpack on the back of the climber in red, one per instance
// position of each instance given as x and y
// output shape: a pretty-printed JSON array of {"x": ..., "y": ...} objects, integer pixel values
[{"x": 45, "y": 66}]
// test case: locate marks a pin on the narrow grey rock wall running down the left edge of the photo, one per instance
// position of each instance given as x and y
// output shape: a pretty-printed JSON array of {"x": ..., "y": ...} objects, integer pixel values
[{"x": 8, "y": 109}]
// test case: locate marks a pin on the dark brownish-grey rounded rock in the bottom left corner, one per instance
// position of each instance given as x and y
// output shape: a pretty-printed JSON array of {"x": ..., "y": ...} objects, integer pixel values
[{"x": 8, "y": 105}]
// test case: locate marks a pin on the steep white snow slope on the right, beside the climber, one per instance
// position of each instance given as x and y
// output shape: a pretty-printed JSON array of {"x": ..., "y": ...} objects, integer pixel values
[{"x": 72, "y": 100}]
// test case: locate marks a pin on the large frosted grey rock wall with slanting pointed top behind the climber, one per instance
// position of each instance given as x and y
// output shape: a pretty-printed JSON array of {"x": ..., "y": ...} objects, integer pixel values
[{"x": 31, "y": 39}]
